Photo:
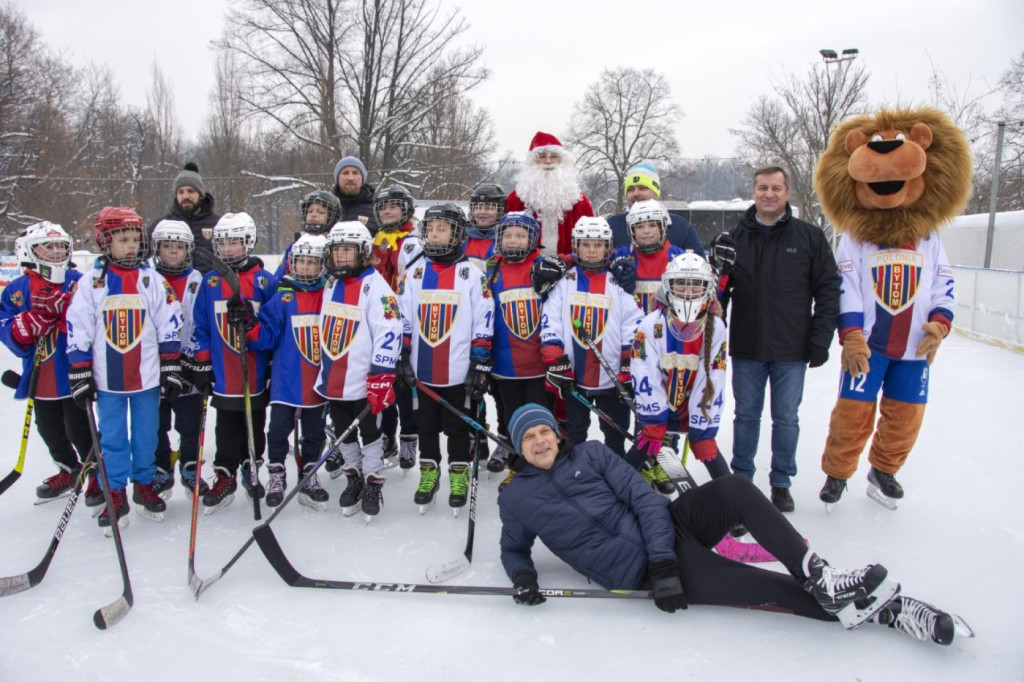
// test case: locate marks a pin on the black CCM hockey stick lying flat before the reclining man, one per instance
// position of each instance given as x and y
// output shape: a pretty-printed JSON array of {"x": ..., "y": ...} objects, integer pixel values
[{"x": 269, "y": 544}]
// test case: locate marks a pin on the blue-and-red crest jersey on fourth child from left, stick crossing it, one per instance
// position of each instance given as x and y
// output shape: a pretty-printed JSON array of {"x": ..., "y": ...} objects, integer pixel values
[{"x": 217, "y": 342}]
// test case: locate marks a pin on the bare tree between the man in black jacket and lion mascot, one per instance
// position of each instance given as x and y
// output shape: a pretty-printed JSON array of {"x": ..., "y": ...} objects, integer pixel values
[{"x": 791, "y": 129}]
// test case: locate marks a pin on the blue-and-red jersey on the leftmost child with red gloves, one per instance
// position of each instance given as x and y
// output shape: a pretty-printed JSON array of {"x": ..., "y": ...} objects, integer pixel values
[{"x": 53, "y": 382}]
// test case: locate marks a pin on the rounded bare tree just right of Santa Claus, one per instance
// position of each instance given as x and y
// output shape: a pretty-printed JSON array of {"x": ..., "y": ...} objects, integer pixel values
[{"x": 625, "y": 117}]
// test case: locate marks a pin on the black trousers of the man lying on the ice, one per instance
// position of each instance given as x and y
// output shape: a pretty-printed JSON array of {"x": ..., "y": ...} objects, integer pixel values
[{"x": 704, "y": 516}]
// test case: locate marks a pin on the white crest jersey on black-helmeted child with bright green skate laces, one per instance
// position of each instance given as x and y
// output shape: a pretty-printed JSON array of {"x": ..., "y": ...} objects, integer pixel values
[{"x": 448, "y": 312}]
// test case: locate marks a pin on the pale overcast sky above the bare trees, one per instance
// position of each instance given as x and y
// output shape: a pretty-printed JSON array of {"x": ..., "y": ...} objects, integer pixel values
[{"x": 718, "y": 57}]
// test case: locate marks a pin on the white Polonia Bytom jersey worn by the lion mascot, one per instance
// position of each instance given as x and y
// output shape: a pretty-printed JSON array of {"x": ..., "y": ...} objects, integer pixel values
[{"x": 891, "y": 293}]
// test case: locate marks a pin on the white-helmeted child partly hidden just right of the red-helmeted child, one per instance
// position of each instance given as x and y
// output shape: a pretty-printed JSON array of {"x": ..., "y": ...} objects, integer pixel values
[{"x": 173, "y": 249}]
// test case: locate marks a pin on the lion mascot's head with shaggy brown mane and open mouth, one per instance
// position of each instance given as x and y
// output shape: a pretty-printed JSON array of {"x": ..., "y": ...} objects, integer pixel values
[{"x": 895, "y": 177}]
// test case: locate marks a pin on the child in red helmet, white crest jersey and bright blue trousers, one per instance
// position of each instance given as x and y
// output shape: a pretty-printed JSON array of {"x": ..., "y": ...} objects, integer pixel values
[{"x": 123, "y": 325}]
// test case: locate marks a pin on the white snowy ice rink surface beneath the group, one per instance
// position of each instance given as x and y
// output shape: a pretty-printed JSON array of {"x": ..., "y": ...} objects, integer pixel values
[{"x": 957, "y": 541}]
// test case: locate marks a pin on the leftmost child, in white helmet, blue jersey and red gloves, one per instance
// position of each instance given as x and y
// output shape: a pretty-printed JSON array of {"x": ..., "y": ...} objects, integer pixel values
[{"x": 32, "y": 322}]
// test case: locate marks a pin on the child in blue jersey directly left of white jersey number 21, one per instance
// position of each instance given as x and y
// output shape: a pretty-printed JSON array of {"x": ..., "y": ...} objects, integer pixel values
[{"x": 289, "y": 327}]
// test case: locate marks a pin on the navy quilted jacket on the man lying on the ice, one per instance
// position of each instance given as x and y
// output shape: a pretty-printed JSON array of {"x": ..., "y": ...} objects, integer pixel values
[{"x": 593, "y": 511}]
